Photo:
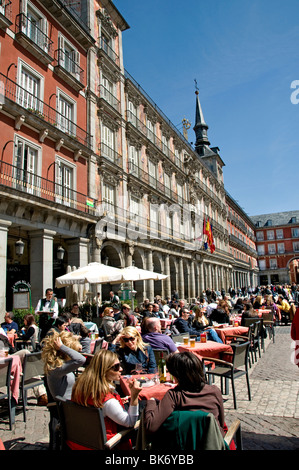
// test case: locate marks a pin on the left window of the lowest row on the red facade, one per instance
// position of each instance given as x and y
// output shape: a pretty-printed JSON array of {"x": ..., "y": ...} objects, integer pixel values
[{"x": 26, "y": 163}]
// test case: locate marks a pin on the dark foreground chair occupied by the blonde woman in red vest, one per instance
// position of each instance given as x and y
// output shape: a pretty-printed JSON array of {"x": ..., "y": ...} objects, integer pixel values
[{"x": 85, "y": 426}]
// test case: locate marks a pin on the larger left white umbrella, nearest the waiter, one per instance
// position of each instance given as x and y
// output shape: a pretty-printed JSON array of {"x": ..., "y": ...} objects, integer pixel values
[{"x": 93, "y": 273}]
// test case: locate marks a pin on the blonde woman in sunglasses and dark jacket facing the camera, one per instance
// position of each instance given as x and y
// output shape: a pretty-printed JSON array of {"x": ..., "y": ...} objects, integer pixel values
[{"x": 132, "y": 350}]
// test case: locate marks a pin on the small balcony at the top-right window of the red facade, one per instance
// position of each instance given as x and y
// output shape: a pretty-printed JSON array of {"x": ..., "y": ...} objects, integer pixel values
[{"x": 68, "y": 69}]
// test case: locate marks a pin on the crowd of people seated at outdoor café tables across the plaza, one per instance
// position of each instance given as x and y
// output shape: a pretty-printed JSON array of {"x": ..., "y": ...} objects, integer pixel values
[{"x": 131, "y": 337}]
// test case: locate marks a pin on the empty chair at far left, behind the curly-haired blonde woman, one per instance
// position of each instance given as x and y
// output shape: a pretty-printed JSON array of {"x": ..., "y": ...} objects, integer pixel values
[{"x": 33, "y": 371}]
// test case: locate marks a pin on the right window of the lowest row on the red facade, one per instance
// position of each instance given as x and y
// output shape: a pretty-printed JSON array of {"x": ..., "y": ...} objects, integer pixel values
[{"x": 64, "y": 182}]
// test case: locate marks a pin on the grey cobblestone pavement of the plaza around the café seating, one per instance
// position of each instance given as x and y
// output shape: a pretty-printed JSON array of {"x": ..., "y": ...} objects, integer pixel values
[{"x": 269, "y": 421}]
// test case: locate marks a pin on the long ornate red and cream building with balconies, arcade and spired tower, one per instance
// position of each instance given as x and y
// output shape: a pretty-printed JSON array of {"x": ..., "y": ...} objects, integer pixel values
[{"x": 93, "y": 170}]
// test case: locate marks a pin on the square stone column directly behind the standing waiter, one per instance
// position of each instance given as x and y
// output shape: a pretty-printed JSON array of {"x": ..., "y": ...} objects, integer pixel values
[{"x": 41, "y": 263}]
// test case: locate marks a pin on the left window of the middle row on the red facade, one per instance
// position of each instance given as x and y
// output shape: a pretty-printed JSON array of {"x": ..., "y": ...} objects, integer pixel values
[{"x": 31, "y": 88}]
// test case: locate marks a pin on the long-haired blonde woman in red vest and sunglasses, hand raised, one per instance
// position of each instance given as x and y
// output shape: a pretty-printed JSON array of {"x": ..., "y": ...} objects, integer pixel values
[{"x": 95, "y": 387}]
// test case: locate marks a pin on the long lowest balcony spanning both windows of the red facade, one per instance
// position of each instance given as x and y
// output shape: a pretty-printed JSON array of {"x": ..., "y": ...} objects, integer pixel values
[{"x": 16, "y": 179}]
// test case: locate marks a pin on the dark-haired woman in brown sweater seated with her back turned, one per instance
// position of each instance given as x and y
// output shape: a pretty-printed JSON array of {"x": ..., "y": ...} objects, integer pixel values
[{"x": 191, "y": 393}]
